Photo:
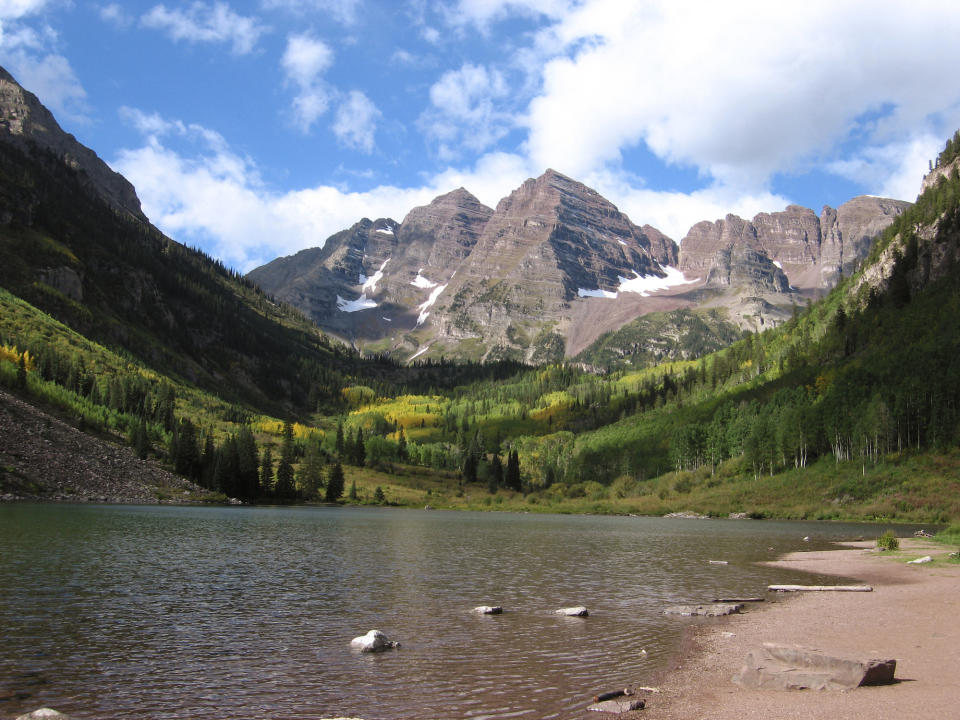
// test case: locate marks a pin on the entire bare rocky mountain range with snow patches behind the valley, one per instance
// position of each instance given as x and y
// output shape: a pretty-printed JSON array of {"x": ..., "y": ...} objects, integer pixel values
[{"x": 555, "y": 266}]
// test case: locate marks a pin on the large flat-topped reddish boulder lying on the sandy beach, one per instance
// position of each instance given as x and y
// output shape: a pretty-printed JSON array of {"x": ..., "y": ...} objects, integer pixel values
[{"x": 791, "y": 667}]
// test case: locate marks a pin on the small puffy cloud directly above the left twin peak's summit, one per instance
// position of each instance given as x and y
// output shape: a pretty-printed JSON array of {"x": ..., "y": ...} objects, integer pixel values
[{"x": 465, "y": 110}]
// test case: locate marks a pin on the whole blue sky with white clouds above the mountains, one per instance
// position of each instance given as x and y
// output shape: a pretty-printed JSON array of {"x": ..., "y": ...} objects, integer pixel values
[{"x": 255, "y": 129}]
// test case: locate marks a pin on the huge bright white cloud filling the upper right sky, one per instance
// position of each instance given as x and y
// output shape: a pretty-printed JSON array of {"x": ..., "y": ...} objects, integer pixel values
[{"x": 746, "y": 90}]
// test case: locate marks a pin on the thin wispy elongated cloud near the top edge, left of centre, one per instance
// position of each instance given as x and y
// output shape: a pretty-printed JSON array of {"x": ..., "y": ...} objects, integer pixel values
[{"x": 203, "y": 22}]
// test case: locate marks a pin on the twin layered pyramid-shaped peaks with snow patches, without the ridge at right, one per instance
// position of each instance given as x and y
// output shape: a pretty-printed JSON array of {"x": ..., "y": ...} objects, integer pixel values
[{"x": 465, "y": 280}]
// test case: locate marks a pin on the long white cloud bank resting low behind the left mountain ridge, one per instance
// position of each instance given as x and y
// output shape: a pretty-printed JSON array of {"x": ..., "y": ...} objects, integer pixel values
[{"x": 198, "y": 190}]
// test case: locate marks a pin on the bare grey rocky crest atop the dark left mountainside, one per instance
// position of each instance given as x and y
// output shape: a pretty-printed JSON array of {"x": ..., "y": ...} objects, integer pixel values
[{"x": 24, "y": 120}]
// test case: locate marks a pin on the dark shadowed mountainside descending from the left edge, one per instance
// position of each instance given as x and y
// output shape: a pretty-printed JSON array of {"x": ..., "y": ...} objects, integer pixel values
[{"x": 75, "y": 244}]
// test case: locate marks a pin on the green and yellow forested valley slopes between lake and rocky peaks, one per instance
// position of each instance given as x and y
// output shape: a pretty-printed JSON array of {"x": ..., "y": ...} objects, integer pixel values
[{"x": 850, "y": 409}]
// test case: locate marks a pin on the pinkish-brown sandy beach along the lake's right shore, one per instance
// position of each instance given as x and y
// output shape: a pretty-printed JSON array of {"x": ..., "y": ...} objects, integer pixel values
[{"x": 911, "y": 615}]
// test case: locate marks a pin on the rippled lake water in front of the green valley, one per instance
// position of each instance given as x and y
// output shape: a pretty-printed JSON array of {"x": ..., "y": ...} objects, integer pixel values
[{"x": 169, "y": 612}]
